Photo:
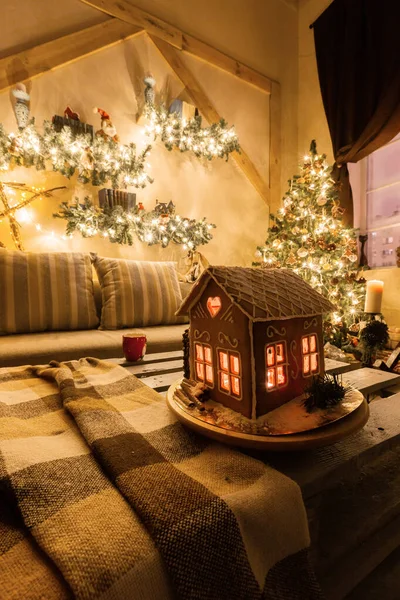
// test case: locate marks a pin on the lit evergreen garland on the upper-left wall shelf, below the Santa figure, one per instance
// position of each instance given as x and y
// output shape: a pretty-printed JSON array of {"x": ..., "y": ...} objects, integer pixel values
[{"x": 96, "y": 161}]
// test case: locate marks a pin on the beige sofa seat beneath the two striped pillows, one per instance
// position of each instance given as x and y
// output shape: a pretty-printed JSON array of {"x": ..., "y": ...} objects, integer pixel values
[{"x": 42, "y": 347}]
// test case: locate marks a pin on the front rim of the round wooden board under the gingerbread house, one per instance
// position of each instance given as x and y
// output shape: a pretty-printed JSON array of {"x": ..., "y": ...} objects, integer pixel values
[{"x": 323, "y": 436}]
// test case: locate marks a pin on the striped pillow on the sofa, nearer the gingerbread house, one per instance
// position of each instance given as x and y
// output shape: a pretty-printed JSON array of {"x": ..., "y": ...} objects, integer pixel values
[{"x": 137, "y": 293}]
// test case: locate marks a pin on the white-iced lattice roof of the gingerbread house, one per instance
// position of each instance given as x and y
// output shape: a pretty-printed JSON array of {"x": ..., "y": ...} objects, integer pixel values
[{"x": 262, "y": 294}]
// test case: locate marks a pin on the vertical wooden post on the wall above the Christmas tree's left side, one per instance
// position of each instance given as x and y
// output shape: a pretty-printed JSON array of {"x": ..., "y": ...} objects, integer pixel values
[{"x": 275, "y": 146}]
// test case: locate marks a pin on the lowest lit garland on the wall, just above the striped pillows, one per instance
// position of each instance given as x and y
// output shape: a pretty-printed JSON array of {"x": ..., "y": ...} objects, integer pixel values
[{"x": 152, "y": 227}]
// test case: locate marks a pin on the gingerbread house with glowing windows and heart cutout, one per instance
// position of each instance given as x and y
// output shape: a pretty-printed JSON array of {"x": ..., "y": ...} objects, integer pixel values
[{"x": 255, "y": 336}]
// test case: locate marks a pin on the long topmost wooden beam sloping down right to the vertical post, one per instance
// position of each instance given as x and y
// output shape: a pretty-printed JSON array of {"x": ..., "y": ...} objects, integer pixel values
[{"x": 160, "y": 29}]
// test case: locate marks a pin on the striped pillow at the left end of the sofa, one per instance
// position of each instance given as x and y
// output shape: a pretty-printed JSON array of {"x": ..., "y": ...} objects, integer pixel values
[{"x": 45, "y": 292}]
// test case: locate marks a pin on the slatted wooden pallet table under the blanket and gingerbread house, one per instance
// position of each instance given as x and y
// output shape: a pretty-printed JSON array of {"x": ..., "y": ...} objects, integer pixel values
[{"x": 351, "y": 489}]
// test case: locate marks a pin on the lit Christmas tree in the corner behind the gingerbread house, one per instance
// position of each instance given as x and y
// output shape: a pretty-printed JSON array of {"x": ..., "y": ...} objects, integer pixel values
[{"x": 308, "y": 236}]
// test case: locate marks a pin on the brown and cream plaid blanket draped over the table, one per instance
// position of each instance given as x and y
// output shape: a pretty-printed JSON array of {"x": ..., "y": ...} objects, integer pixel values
[{"x": 103, "y": 494}]
